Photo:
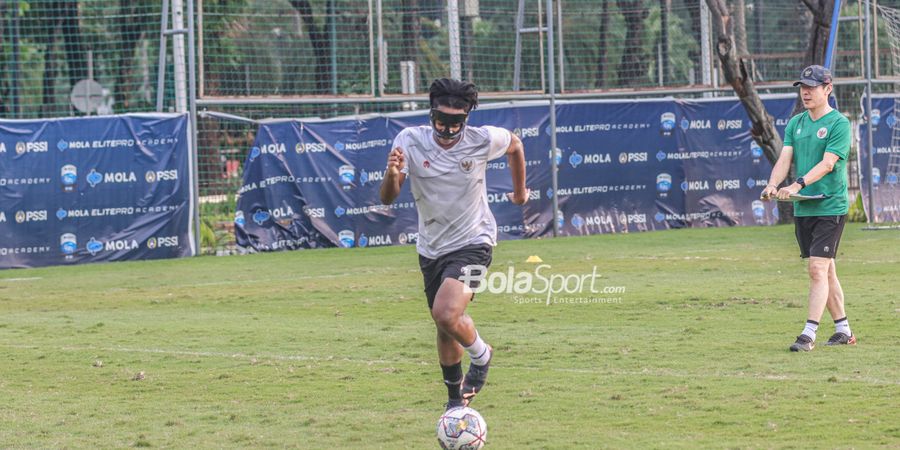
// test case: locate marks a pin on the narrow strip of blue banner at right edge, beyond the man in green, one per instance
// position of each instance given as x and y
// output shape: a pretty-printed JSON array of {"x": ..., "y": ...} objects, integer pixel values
[{"x": 885, "y": 190}]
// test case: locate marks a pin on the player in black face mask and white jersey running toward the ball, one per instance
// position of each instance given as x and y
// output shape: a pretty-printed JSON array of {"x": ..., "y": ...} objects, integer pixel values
[{"x": 446, "y": 163}]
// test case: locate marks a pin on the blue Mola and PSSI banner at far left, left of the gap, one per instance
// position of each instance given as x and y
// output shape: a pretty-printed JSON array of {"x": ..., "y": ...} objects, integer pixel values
[{"x": 93, "y": 189}]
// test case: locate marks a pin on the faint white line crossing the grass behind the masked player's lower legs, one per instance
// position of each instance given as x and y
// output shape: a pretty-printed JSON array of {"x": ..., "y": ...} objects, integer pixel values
[{"x": 652, "y": 372}]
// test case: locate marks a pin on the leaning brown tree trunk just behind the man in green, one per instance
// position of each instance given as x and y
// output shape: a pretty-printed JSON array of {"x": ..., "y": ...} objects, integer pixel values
[{"x": 734, "y": 68}]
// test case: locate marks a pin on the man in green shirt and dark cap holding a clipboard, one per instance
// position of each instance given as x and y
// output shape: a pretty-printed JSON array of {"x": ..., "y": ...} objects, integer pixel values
[{"x": 818, "y": 141}]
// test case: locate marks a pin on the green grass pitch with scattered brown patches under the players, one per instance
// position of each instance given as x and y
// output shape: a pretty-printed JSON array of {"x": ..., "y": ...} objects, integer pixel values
[{"x": 335, "y": 349}]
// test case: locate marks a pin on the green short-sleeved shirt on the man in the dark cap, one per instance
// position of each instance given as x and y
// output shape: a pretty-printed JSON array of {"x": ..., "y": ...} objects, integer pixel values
[{"x": 810, "y": 140}]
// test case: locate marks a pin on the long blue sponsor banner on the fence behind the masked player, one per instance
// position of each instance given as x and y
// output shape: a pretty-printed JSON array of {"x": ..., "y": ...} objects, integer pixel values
[{"x": 623, "y": 166}]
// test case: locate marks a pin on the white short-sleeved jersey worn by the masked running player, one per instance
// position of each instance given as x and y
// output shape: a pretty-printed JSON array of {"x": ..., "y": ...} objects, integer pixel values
[{"x": 449, "y": 188}]
